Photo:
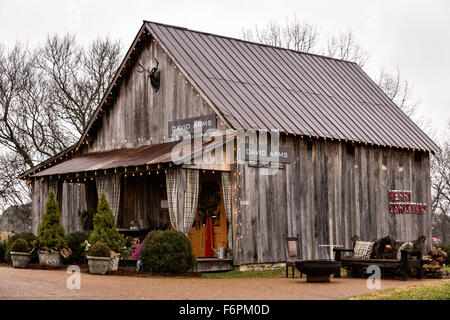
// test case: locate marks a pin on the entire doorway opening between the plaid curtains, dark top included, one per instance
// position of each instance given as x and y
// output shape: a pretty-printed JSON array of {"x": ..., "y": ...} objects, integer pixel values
[{"x": 210, "y": 185}]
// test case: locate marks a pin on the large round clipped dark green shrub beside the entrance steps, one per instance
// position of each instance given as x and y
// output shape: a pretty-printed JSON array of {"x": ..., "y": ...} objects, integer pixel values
[{"x": 167, "y": 251}]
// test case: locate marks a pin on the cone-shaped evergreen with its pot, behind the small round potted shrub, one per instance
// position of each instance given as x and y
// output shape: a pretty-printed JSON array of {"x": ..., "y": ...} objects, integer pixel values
[{"x": 105, "y": 231}]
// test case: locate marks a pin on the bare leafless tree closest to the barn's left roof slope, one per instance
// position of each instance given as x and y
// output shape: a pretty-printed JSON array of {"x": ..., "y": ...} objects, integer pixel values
[{"x": 77, "y": 77}]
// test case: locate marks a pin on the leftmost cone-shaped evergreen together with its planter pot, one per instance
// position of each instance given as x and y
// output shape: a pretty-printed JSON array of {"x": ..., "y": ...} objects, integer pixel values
[{"x": 51, "y": 242}]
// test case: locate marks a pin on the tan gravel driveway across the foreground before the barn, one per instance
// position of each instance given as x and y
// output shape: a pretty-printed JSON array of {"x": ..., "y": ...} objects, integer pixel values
[{"x": 49, "y": 284}]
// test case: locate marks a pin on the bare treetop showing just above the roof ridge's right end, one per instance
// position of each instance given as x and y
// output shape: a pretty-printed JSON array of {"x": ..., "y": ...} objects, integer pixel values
[{"x": 343, "y": 45}]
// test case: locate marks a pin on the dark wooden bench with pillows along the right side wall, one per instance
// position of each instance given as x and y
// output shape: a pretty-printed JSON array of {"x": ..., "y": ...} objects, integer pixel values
[{"x": 409, "y": 258}]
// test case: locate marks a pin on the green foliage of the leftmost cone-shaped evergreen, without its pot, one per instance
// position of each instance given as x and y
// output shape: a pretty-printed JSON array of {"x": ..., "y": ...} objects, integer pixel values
[{"x": 51, "y": 233}]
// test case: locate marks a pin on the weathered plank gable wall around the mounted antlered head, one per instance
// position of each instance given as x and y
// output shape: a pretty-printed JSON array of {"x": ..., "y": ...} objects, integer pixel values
[{"x": 139, "y": 115}]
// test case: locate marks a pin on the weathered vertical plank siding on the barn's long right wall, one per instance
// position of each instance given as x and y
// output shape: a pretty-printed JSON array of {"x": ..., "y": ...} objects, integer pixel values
[{"x": 329, "y": 192}]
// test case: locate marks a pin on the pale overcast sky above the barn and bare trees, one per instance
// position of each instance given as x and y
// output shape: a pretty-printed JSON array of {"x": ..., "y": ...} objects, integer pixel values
[{"x": 411, "y": 35}]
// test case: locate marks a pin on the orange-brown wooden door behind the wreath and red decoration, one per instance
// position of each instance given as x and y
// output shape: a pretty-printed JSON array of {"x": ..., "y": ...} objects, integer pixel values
[{"x": 197, "y": 234}]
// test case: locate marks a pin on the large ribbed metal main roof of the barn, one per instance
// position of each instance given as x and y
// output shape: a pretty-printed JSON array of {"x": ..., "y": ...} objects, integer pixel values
[{"x": 257, "y": 86}]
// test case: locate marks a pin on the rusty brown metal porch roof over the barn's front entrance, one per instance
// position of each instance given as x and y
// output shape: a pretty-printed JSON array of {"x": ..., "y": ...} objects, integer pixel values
[{"x": 121, "y": 158}]
